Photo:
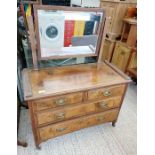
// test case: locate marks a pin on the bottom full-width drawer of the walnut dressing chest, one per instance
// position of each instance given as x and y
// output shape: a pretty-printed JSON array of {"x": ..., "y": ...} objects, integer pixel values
[{"x": 76, "y": 124}]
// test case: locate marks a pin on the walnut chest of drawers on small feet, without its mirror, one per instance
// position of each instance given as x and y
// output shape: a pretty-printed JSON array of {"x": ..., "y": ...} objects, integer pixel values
[{"x": 65, "y": 99}]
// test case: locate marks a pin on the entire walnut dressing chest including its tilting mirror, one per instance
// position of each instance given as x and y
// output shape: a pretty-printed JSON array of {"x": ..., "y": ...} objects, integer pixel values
[{"x": 69, "y": 98}]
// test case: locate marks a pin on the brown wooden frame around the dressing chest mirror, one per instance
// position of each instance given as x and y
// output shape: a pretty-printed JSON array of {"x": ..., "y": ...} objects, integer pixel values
[{"x": 64, "y": 8}]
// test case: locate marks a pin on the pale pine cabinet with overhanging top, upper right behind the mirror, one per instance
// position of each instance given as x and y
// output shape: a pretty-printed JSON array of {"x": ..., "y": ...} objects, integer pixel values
[{"x": 116, "y": 10}]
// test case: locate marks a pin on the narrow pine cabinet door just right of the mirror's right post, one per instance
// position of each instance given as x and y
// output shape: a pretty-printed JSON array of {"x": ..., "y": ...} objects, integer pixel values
[{"x": 108, "y": 49}]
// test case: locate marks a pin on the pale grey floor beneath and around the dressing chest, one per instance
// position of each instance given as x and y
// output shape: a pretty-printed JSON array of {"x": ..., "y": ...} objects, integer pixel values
[{"x": 99, "y": 140}]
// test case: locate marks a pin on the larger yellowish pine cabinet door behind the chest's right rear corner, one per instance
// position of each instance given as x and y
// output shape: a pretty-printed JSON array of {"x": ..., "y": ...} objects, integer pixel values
[{"x": 121, "y": 56}]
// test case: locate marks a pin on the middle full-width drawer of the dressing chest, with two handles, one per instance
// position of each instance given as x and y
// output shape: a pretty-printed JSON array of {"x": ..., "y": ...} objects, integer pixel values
[{"x": 52, "y": 116}]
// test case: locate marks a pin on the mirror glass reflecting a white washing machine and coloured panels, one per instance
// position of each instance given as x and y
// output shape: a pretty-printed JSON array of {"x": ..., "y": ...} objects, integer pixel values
[{"x": 64, "y": 33}]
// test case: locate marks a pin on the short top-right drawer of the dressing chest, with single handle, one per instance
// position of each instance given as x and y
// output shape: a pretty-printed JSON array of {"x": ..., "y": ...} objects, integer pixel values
[{"x": 106, "y": 92}]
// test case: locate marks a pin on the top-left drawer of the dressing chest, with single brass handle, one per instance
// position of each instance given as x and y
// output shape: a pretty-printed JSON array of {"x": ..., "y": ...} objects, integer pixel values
[{"x": 52, "y": 102}]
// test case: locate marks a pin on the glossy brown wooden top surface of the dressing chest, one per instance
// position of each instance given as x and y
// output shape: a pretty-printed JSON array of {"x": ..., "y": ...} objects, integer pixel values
[{"x": 66, "y": 79}]
